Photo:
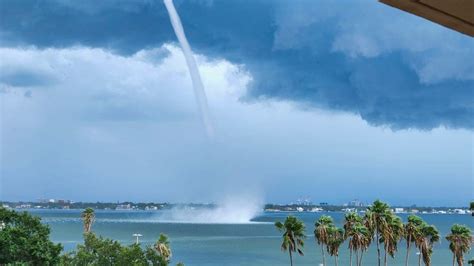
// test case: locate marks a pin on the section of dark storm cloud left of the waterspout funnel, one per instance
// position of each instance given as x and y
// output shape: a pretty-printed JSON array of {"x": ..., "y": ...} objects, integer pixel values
[{"x": 125, "y": 26}]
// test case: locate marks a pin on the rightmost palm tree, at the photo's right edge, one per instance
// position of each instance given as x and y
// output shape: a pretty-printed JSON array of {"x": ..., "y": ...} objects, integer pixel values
[{"x": 460, "y": 242}]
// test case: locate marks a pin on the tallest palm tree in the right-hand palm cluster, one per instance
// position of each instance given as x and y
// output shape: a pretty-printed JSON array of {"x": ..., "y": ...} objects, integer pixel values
[{"x": 376, "y": 219}]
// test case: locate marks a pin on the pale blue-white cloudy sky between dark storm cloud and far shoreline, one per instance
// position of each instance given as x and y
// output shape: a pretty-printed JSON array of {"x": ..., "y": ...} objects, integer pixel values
[{"x": 129, "y": 123}]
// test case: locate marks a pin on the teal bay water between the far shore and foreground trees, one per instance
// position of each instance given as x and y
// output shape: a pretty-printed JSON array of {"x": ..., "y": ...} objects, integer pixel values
[{"x": 253, "y": 243}]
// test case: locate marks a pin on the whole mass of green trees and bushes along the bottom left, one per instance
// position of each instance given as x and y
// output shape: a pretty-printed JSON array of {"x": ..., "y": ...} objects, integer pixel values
[{"x": 25, "y": 241}]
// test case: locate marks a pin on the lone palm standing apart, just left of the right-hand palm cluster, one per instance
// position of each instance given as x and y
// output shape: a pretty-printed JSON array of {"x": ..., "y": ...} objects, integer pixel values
[{"x": 293, "y": 236}]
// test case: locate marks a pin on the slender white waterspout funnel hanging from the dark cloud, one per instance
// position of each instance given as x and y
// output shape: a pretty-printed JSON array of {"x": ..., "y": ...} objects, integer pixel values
[{"x": 192, "y": 67}]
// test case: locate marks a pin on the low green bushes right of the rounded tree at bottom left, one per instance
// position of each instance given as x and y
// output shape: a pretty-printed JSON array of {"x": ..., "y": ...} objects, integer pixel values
[{"x": 103, "y": 251}]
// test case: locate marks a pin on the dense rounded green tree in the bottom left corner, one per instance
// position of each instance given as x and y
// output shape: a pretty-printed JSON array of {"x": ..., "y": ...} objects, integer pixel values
[{"x": 24, "y": 240}]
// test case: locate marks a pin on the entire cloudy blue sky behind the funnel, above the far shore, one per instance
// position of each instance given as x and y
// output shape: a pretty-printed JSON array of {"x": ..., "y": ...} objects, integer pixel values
[{"x": 330, "y": 100}]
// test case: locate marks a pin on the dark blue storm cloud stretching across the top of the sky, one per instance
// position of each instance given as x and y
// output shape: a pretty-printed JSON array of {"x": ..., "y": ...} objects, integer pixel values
[{"x": 339, "y": 56}]
